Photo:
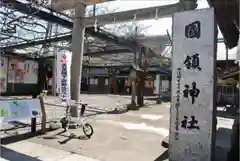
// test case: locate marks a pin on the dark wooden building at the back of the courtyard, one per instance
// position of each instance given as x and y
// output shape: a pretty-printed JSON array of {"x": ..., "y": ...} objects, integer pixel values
[{"x": 103, "y": 81}]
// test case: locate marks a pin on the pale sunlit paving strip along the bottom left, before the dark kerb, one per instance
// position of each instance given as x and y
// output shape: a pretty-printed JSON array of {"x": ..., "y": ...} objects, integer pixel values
[{"x": 29, "y": 151}]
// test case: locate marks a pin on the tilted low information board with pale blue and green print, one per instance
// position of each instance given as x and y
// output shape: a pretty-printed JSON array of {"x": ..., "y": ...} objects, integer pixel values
[{"x": 17, "y": 110}]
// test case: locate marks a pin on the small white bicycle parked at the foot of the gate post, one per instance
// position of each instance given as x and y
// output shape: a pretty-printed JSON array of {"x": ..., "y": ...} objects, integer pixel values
[{"x": 66, "y": 121}]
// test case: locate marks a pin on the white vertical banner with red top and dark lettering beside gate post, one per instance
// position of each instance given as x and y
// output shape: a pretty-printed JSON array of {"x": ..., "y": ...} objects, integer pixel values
[{"x": 64, "y": 59}]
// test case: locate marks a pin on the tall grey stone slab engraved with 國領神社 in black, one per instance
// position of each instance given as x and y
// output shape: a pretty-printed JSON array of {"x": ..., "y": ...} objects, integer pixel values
[{"x": 192, "y": 108}]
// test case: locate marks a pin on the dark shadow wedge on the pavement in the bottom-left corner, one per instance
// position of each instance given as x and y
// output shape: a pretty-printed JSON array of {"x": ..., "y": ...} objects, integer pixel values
[{"x": 12, "y": 155}]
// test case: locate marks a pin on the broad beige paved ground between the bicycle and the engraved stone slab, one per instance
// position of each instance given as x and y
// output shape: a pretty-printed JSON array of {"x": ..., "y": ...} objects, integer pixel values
[{"x": 118, "y": 137}]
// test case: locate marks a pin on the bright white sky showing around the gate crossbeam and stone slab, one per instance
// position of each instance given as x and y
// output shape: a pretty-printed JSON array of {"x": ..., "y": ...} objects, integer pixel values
[{"x": 160, "y": 26}]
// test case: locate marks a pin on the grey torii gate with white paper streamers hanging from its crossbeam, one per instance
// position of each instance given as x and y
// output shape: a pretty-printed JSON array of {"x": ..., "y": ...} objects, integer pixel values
[{"x": 80, "y": 22}]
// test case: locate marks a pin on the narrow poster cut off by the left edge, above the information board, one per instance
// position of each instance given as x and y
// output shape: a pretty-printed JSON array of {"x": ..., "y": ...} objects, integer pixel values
[{"x": 3, "y": 74}]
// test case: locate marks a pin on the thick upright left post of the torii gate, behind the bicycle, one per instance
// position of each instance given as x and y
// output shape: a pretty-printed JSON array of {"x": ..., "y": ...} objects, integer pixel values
[{"x": 77, "y": 55}]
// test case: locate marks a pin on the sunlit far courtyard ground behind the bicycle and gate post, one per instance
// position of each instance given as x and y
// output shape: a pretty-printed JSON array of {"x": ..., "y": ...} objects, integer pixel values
[{"x": 98, "y": 104}]
